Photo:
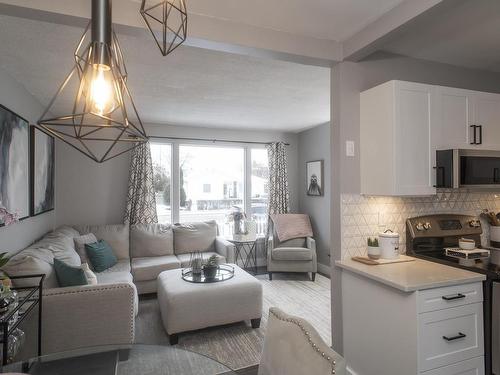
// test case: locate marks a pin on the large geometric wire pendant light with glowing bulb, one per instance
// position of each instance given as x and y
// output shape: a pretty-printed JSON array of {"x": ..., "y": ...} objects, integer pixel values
[{"x": 93, "y": 110}]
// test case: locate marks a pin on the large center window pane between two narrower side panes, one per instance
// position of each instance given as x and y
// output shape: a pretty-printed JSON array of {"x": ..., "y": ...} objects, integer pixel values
[{"x": 211, "y": 182}]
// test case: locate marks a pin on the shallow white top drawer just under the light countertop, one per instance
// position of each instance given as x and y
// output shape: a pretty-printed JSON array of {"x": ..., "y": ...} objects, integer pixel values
[{"x": 450, "y": 296}]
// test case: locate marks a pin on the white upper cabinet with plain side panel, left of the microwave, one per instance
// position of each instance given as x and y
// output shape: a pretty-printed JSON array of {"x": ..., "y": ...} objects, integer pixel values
[{"x": 397, "y": 156}]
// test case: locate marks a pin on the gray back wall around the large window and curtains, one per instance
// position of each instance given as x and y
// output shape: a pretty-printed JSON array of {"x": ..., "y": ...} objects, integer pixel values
[{"x": 93, "y": 193}]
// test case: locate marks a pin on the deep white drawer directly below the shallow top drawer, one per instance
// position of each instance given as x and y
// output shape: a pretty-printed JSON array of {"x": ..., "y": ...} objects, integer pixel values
[{"x": 449, "y": 336}]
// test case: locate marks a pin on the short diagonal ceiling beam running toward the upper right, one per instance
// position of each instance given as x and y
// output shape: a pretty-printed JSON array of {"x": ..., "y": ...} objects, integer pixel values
[{"x": 369, "y": 39}]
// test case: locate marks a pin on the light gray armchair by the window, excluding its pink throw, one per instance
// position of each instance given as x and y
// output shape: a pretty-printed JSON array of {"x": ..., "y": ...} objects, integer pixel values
[{"x": 294, "y": 255}]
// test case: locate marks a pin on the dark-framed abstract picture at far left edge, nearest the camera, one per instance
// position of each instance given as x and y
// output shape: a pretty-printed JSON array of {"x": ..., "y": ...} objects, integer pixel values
[{"x": 14, "y": 163}]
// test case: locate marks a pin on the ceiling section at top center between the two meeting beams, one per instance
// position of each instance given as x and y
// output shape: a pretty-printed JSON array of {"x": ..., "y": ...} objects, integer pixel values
[{"x": 325, "y": 19}]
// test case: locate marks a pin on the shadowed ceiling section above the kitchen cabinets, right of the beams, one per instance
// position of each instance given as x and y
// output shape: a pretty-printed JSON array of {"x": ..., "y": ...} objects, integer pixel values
[{"x": 461, "y": 32}]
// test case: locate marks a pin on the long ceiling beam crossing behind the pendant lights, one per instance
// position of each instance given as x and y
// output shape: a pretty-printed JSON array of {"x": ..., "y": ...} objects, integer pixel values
[{"x": 203, "y": 32}]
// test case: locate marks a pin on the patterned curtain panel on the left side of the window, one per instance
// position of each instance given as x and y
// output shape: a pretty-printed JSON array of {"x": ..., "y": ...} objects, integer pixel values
[{"x": 141, "y": 201}]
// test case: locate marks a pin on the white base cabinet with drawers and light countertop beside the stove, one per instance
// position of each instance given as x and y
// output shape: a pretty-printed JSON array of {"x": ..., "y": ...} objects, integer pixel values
[{"x": 408, "y": 318}]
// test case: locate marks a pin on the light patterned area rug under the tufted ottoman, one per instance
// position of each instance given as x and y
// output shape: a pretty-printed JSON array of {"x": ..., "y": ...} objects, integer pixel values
[{"x": 238, "y": 345}]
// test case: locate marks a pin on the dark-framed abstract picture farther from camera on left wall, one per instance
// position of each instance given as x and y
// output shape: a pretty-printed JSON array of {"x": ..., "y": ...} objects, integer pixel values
[{"x": 42, "y": 161}]
